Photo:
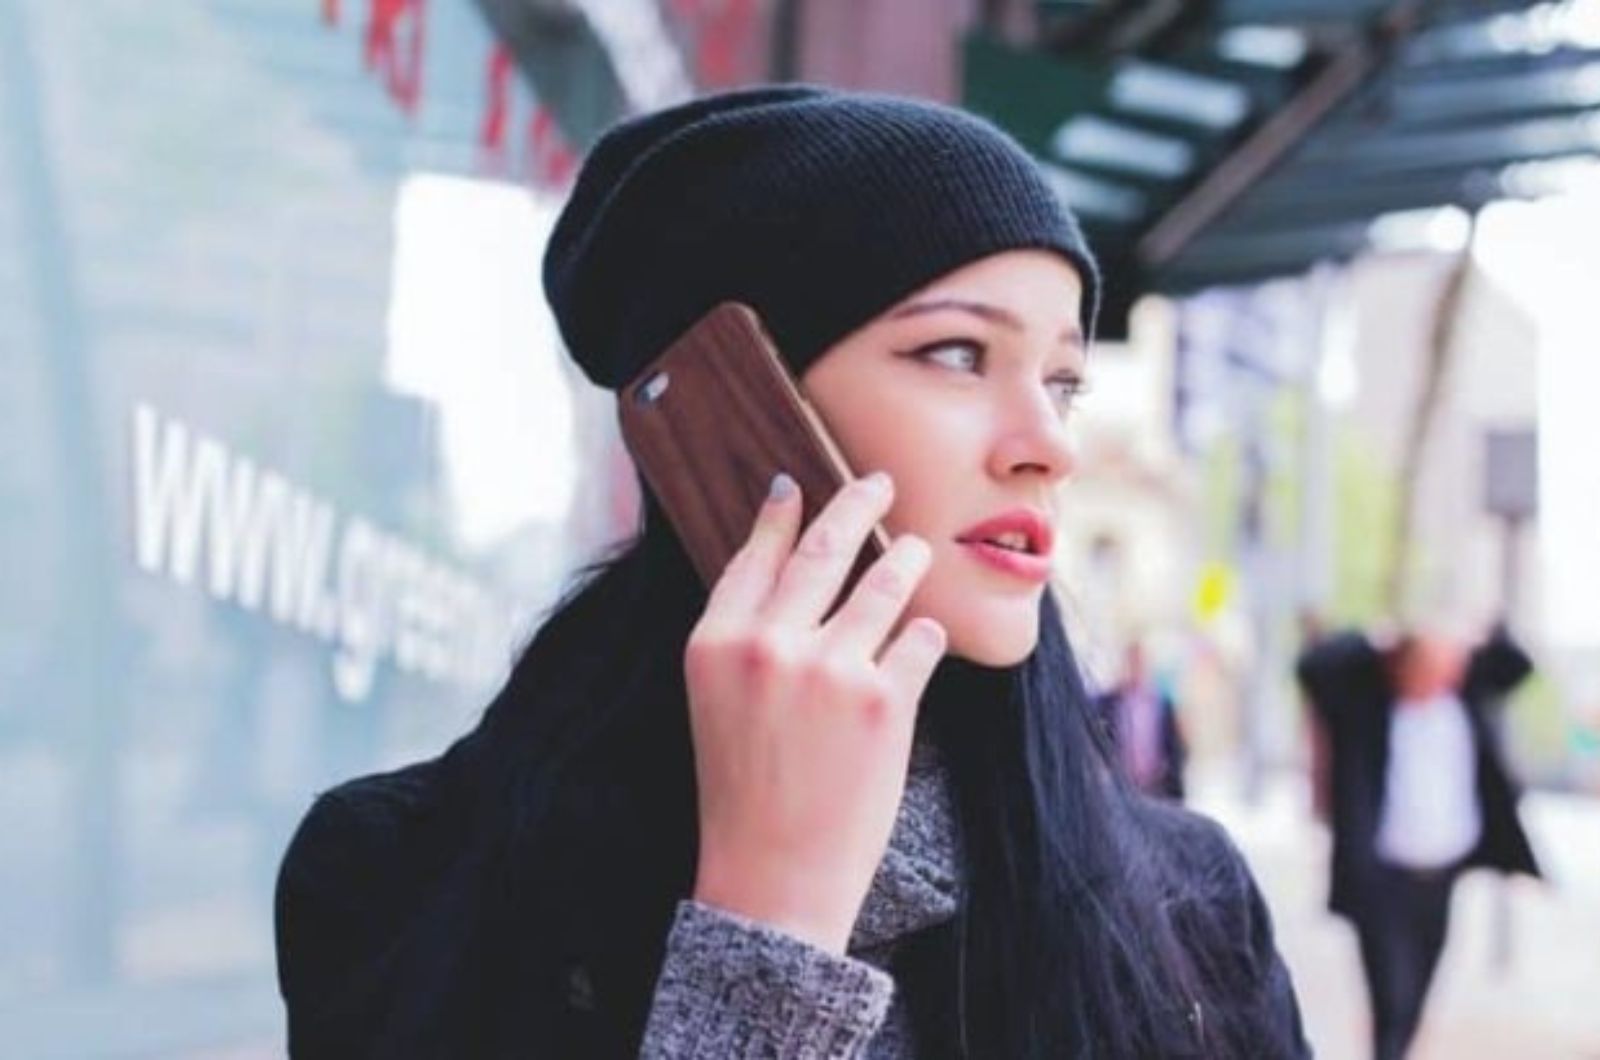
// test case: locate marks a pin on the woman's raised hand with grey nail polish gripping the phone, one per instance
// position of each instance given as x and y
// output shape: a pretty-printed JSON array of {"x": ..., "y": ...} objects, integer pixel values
[{"x": 802, "y": 728}]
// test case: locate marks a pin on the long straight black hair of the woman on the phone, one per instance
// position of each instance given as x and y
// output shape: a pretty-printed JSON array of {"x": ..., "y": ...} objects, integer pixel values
[{"x": 1063, "y": 947}]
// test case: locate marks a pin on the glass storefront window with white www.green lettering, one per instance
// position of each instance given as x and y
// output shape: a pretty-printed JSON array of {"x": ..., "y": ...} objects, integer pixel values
[{"x": 294, "y": 460}]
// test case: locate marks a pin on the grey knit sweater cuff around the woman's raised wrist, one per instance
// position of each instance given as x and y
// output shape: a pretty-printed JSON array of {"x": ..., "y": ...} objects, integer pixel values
[{"x": 734, "y": 989}]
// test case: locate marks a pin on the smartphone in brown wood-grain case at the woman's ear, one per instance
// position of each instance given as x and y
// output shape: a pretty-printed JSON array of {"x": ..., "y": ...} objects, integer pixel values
[{"x": 713, "y": 420}]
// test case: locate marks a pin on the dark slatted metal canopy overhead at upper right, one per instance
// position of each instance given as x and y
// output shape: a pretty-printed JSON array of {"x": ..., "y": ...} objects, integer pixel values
[{"x": 1239, "y": 140}]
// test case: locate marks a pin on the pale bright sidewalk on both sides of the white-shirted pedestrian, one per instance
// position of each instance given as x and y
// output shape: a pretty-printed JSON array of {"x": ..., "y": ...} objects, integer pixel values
[{"x": 1543, "y": 1006}]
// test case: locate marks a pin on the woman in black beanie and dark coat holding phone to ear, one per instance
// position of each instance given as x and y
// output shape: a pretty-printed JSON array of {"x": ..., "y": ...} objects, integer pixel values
[{"x": 735, "y": 825}]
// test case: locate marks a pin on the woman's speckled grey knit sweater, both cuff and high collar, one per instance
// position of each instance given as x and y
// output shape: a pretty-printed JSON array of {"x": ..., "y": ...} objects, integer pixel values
[{"x": 732, "y": 989}]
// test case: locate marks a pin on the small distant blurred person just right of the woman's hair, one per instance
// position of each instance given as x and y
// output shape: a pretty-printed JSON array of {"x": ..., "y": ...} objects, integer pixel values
[{"x": 1142, "y": 721}]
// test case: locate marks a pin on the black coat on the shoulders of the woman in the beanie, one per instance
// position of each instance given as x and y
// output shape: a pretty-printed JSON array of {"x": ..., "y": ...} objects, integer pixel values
[{"x": 399, "y": 936}]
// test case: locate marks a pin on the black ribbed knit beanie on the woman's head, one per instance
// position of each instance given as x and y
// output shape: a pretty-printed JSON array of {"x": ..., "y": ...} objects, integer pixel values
[{"x": 818, "y": 209}]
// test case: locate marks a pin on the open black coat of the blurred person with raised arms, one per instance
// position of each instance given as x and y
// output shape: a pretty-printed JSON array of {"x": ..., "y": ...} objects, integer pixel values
[{"x": 1348, "y": 685}]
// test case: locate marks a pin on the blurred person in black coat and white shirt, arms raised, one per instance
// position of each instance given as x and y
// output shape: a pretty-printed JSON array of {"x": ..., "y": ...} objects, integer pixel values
[{"x": 1420, "y": 793}]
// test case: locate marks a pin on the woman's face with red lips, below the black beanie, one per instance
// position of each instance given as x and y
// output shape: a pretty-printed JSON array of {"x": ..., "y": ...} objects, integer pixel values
[{"x": 961, "y": 393}]
